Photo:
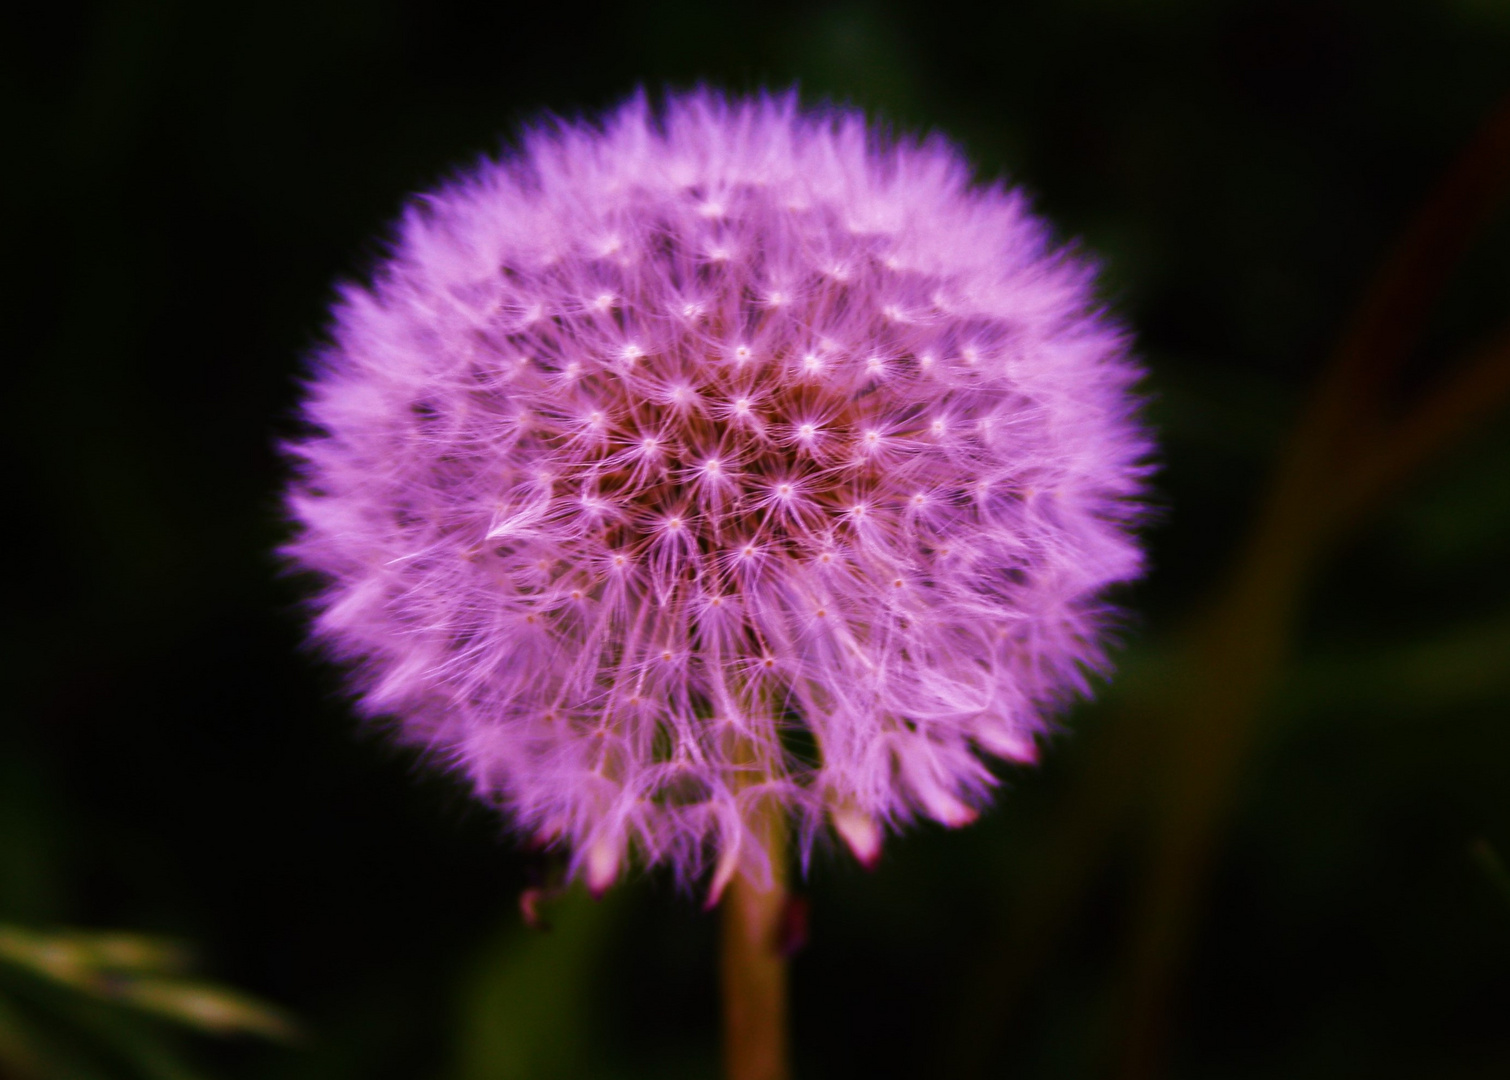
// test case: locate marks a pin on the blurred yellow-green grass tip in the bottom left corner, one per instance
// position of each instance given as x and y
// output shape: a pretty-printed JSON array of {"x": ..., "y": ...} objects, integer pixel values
[{"x": 75, "y": 1001}]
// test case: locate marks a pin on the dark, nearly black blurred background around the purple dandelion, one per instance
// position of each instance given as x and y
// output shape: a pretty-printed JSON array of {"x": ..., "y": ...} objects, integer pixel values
[{"x": 1274, "y": 847}]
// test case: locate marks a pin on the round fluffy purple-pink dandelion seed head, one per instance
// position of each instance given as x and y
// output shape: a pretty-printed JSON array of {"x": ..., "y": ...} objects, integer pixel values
[{"x": 716, "y": 464}]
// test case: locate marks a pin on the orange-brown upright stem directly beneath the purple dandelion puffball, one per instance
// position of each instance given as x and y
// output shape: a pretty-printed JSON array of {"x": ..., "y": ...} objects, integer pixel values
[{"x": 754, "y": 977}]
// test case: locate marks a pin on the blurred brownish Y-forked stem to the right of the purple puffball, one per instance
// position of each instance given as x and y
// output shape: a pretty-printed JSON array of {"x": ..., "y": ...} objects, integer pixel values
[{"x": 1348, "y": 455}]
